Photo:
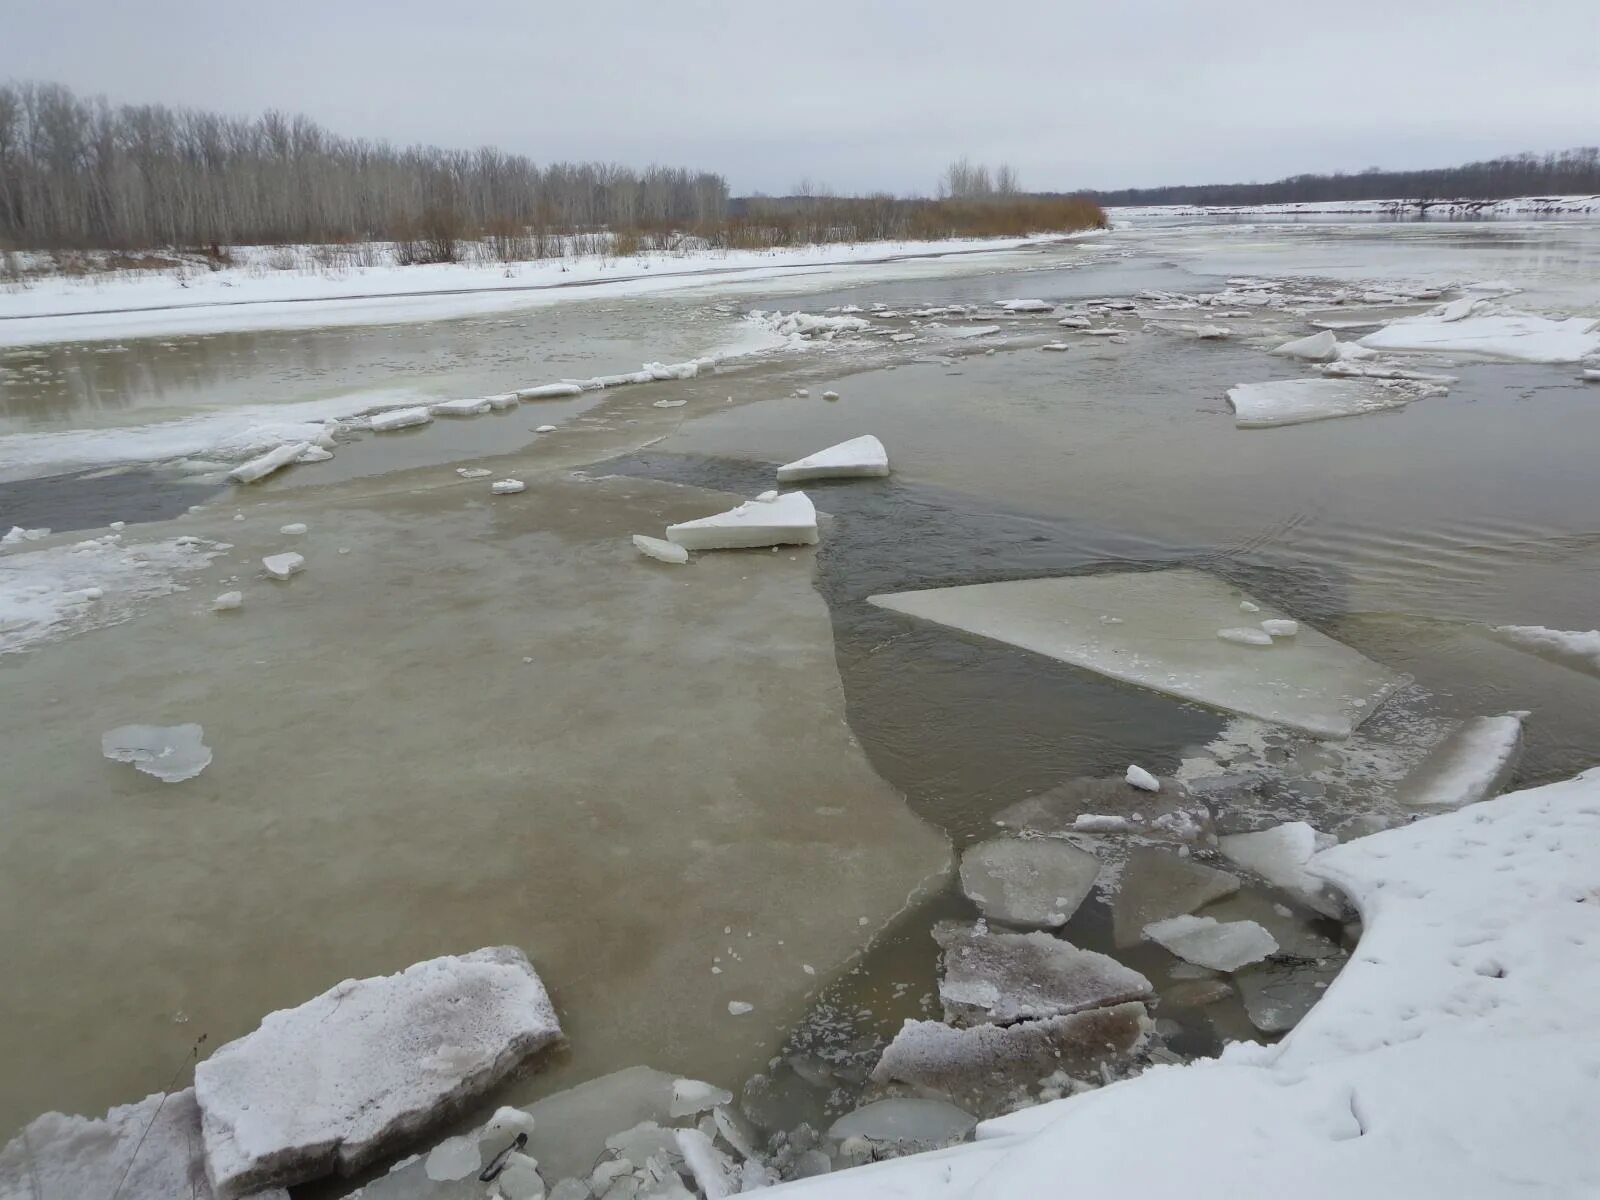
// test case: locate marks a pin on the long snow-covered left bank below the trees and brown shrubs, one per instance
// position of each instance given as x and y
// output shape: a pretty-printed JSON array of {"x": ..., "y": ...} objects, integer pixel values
[{"x": 254, "y": 297}]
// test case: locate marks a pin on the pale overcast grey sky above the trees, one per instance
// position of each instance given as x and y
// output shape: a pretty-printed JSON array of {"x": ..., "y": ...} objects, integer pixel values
[{"x": 866, "y": 95}]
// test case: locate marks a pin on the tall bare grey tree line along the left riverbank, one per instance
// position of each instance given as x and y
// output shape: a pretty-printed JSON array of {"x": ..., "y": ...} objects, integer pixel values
[{"x": 79, "y": 174}]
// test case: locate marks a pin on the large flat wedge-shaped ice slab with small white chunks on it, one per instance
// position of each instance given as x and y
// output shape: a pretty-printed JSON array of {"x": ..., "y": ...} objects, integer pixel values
[{"x": 1167, "y": 642}]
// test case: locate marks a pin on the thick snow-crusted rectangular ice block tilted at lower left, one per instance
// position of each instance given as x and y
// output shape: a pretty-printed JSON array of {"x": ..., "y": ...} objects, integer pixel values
[{"x": 351, "y": 1076}]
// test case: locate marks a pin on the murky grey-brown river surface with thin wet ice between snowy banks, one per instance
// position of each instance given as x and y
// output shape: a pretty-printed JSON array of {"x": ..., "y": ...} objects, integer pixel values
[{"x": 481, "y": 721}]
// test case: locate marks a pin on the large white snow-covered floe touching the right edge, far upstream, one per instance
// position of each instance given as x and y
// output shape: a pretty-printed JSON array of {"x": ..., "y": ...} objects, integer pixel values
[{"x": 1489, "y": 332}]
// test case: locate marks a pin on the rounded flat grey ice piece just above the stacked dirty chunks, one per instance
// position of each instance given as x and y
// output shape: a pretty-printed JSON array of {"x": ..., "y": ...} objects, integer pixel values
[{"x": 1028, "y": 882}]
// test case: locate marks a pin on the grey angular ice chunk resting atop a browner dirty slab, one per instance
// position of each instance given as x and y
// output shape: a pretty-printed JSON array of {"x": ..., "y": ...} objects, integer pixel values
[{"x": 999, "y": 978}]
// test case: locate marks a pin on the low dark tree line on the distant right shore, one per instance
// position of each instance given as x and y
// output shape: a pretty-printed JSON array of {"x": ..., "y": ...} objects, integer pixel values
[{"x": 1558, "y": 174}]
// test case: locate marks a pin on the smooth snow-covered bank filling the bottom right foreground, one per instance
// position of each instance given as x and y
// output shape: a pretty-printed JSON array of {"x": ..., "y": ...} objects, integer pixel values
[{"x": 1450, "y": 1058}]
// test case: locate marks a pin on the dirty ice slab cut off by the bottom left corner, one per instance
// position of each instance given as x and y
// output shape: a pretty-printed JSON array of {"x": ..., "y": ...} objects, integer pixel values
[{"x": 146, "y": 1151}]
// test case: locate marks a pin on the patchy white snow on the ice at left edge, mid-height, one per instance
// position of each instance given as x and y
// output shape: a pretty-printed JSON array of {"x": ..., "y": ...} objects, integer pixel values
[{"x": 50, "y": 593}]
